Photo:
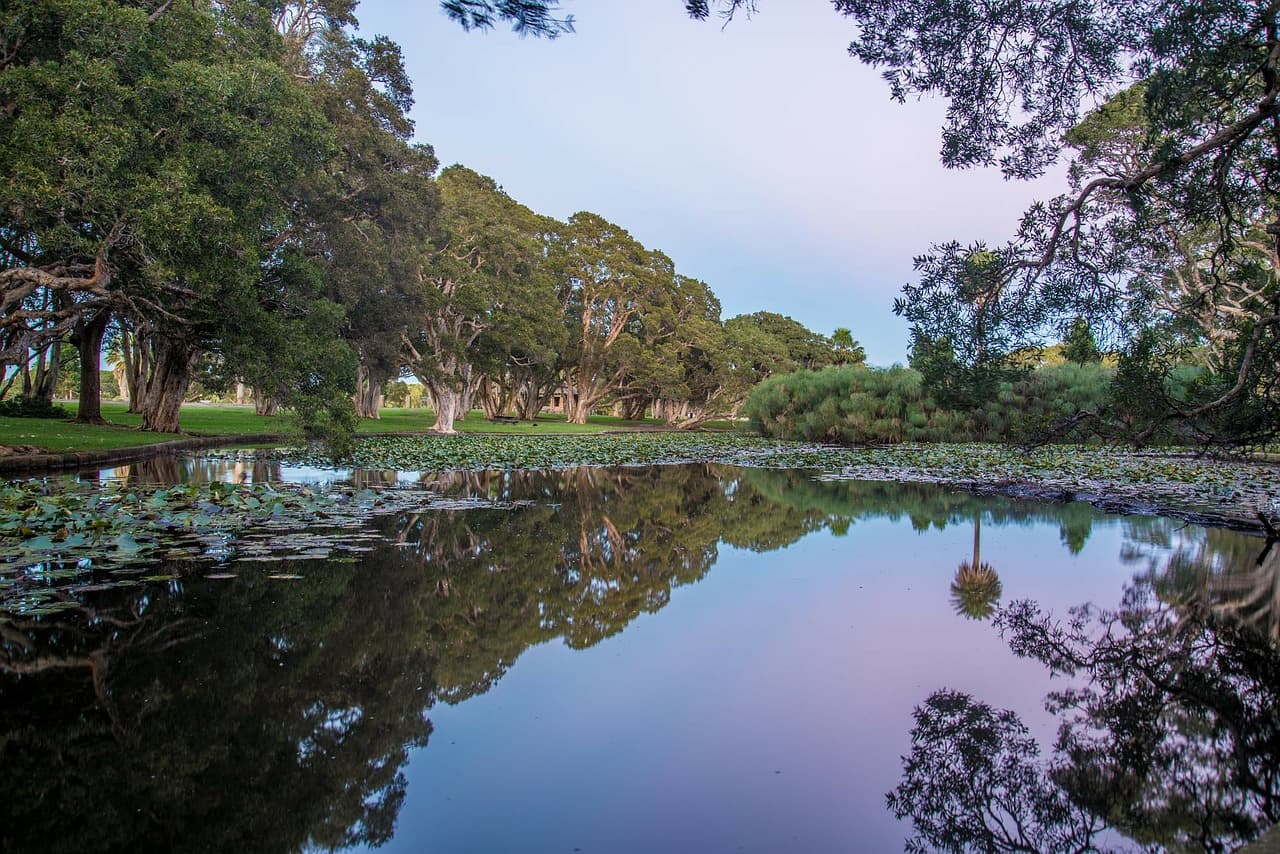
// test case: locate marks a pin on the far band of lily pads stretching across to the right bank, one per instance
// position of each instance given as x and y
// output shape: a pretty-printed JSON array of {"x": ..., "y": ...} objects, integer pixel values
[{"x": 1153, "y": 482}]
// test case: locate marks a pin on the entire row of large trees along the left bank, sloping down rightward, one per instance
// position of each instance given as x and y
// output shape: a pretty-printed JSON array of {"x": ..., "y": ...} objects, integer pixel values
[{"x": 230, "y": 194}]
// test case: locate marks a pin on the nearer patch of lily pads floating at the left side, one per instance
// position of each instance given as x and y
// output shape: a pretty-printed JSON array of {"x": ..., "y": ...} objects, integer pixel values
[{"x": 58, "y": 531}]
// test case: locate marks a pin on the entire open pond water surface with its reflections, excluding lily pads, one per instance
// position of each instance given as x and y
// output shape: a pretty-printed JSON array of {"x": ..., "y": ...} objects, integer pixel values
[{"x": 700, "y": 659}]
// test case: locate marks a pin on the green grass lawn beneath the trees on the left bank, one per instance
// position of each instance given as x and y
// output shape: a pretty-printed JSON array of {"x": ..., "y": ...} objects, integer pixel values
[{"x": 227, "y": 419}]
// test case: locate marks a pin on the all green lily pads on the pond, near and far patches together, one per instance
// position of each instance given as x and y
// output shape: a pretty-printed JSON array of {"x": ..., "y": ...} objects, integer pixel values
[{"x": 58, "y": 533}]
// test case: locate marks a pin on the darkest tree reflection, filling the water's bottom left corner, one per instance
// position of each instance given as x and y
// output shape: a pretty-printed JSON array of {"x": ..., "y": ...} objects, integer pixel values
[{"x": 269, "y": 716}]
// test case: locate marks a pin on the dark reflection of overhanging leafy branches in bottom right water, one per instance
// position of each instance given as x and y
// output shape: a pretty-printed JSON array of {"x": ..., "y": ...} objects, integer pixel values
[{"x": 1169, "y": 733}]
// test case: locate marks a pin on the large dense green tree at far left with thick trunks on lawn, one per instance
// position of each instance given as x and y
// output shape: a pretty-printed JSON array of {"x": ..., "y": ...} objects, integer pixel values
[{"x": 158, "y": 216}]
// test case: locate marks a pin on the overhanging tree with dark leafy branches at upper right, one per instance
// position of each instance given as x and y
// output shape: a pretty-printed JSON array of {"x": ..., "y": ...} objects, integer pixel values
[{"x": 1171, "y": 222}]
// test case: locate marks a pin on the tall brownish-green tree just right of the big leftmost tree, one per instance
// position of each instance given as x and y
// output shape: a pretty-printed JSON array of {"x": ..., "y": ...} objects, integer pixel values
[{"x": 365, "y": 217}]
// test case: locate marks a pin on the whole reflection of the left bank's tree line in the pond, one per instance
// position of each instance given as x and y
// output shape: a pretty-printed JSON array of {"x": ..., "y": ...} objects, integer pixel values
[{"x": 275, "y": 715}]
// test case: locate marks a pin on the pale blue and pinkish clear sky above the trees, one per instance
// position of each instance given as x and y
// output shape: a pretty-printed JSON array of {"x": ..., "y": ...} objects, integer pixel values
[{"x": 760, "y": 157}]
